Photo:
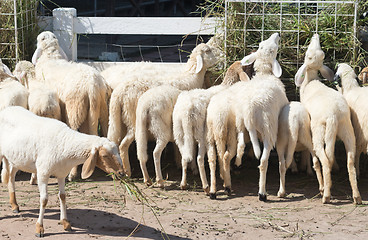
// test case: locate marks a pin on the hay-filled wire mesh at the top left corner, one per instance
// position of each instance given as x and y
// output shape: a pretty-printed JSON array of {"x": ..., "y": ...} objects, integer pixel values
[{"x": 18, "y": 29}]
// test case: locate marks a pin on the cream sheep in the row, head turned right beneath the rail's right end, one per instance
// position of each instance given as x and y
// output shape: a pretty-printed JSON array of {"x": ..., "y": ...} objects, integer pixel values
[{"x": 124, "y": 98}]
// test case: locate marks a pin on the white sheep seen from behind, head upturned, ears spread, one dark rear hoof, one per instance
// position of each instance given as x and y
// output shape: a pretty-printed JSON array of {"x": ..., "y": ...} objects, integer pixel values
[{"x": 258, "y": 105}]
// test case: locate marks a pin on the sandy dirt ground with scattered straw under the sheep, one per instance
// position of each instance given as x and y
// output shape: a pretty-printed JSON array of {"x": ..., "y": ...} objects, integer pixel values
[{"x": 97, "y": 210}]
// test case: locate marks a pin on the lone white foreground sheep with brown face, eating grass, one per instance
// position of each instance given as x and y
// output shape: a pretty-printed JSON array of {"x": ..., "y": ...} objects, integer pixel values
[{"x": 49, "y": 147}]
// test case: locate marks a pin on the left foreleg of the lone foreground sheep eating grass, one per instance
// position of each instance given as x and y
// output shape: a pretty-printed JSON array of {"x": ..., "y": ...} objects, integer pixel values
[{"x": 42, "y": 186}]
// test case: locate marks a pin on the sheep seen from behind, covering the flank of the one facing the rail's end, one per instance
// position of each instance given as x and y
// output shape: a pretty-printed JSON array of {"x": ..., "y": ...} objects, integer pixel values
[{"x": 154, "y": 116}]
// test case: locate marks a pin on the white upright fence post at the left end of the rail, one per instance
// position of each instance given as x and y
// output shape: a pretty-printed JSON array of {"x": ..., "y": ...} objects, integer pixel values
[{"x": 63, "y": 28}]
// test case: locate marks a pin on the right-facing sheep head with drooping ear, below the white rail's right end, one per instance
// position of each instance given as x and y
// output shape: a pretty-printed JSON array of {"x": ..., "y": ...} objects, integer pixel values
[{"x": 204, "y": 56}]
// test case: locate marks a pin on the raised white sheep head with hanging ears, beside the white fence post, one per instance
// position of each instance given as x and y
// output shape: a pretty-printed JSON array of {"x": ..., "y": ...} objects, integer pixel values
[{"x": 47, "y": 41}]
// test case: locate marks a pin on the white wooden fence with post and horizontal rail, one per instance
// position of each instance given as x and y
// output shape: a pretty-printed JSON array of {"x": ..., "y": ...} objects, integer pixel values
[{"x": 66, "y": 25}]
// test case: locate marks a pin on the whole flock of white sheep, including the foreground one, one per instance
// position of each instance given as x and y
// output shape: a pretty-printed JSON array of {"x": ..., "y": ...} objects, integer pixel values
[{"x": 147, "y": 102}]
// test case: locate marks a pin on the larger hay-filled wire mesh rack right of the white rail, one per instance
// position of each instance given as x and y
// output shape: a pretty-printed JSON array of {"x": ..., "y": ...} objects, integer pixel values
[{"x": 247, "y": 22}]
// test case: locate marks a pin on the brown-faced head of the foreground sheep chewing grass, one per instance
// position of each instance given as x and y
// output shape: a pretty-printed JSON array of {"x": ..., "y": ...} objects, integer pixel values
[{"x": 106, "y": 157}]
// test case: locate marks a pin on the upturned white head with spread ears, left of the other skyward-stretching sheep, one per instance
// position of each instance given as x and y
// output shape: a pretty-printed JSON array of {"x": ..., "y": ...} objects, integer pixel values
[{"x": 264, "y": 58}]
